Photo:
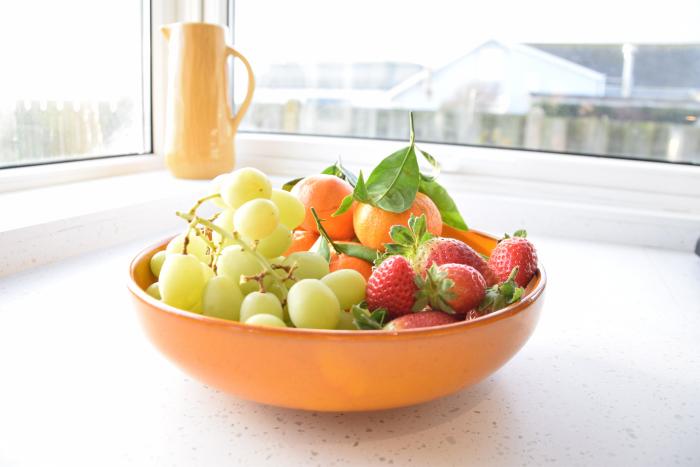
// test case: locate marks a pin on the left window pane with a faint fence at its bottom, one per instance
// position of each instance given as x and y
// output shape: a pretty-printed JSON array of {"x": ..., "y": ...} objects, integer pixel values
[{"x": 72, "y": 80}]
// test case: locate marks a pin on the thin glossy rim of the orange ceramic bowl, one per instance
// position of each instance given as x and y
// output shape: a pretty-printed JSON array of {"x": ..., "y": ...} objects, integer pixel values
[{"x": 516, "y": 308}]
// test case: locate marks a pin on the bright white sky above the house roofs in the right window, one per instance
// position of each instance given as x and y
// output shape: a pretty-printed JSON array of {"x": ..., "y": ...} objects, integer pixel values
[{"x": 432, "y": 32}]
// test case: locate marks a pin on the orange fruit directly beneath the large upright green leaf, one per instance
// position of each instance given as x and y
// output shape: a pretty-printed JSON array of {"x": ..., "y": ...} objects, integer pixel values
[{"x": 372, "y": 224}]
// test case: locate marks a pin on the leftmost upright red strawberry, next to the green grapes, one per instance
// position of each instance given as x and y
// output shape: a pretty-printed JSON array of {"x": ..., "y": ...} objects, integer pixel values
[{"x": 391, "y": 286}]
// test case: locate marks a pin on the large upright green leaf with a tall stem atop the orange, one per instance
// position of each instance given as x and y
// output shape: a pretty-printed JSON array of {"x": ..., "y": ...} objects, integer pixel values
[{"x": 393, "y": 183}]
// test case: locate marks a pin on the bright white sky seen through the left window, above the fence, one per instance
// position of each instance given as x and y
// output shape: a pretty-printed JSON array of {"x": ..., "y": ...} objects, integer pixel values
[{"x": 51, "y": 50}]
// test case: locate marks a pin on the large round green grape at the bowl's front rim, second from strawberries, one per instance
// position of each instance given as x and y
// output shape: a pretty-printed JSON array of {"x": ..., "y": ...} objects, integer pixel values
[{"x": 312, "y": 304}]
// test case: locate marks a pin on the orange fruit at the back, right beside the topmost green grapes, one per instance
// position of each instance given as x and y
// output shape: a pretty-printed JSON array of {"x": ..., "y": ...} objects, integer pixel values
[{"x": 325, "y": 193}]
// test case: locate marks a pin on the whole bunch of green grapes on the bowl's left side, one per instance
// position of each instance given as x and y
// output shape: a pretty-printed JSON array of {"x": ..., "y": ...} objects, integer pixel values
[{"x": 231, "y": 266}]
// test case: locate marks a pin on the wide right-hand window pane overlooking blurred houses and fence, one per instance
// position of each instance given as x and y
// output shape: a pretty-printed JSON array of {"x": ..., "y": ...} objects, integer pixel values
[{"x": 597, "y": 77}]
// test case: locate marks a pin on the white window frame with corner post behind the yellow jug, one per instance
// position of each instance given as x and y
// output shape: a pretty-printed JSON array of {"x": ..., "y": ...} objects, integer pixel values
[{"x": 632, "y": 176}]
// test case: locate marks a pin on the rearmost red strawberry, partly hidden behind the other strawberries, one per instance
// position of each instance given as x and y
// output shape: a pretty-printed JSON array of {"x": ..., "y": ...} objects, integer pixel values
[{"x": 440, "y": 250}]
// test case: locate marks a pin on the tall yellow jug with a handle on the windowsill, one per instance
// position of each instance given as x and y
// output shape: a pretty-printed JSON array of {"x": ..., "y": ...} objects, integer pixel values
[{"x": 199, "y": 126}]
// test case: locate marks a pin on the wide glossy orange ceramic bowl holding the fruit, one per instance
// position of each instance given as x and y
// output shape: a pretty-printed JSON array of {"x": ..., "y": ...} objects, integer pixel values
[{"x": 337, "y": 370}]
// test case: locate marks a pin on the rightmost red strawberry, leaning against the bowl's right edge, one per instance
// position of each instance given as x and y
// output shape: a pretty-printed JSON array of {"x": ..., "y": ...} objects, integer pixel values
[{"x": 516, "y": 251}]
